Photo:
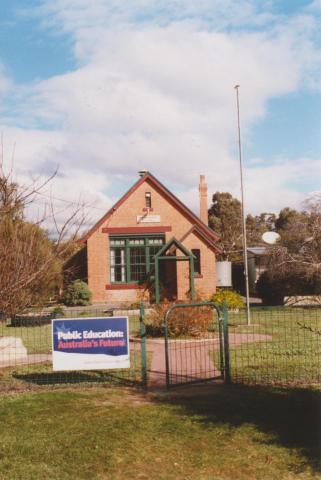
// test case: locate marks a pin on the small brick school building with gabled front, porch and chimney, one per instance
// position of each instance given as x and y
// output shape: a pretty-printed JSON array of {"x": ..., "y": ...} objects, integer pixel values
[{"x": 150, "y": 243}]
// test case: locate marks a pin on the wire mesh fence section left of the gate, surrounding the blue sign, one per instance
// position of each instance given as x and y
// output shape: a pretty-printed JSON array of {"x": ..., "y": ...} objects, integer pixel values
[{"x": 26, "y": 349}]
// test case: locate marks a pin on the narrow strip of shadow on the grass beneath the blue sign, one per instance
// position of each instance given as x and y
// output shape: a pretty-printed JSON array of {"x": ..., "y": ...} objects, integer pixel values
[{"x": 54, "y": 378}]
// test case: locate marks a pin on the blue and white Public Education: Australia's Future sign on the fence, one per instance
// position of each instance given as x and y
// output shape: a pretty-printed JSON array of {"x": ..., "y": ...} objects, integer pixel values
[{"x": 90, "y": 343}]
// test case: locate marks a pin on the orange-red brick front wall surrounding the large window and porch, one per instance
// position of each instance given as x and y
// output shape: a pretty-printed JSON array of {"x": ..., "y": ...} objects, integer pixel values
[{"x": 126, "y": 216}]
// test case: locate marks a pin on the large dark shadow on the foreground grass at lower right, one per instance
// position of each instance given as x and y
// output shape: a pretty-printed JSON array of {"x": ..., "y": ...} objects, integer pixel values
[{"x": 290, "y": 416}]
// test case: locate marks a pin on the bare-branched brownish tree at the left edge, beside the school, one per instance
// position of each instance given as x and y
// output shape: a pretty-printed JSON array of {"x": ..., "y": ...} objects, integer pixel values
[{"x": 30, "y": 262}]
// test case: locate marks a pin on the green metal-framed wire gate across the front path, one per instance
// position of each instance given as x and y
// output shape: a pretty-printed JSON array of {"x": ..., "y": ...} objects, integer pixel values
[{"x": 195, "y": 346}]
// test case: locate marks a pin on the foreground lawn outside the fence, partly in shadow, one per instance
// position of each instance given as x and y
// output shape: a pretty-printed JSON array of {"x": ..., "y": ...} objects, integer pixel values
[{"x": 216, "y": 433}]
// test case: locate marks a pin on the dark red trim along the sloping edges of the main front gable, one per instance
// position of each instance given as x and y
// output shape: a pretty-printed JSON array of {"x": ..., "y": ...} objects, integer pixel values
[{"x": 148, "y": 177}]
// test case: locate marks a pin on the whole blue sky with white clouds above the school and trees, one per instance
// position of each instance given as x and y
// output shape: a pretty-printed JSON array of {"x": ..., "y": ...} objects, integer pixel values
[{"x": 100, "y": 90}]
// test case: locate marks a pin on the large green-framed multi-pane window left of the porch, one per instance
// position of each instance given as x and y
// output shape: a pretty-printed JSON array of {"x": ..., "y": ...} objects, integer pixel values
[{"x": 132, "y": 258}]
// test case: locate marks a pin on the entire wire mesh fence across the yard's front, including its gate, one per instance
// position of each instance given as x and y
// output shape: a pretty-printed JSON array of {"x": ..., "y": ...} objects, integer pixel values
[{"x": 281, "y": 346}]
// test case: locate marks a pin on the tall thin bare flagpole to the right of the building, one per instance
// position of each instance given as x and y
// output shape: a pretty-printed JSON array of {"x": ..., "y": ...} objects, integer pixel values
[{"x": 246, "y": 271}]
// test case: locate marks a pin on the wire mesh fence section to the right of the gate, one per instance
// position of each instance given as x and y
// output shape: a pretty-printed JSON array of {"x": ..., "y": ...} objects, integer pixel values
[{"x": 281, "y": 346}]
